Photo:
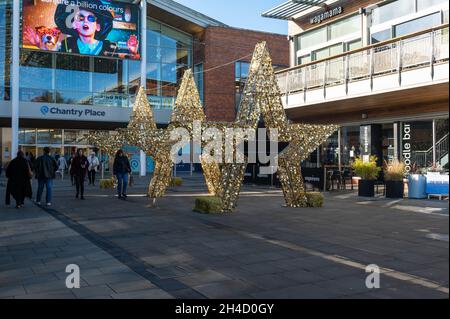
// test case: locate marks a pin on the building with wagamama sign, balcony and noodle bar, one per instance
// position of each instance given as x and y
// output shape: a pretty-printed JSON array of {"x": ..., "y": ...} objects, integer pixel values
[{"x": 378, "y": 68}]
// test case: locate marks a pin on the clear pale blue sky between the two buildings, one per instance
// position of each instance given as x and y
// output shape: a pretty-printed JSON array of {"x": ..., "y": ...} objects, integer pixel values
[{"x": 240, "y": 13}]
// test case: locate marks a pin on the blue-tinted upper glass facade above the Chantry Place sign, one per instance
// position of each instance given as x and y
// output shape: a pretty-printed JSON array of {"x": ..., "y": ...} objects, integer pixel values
[{"x": 73, "y": 79}]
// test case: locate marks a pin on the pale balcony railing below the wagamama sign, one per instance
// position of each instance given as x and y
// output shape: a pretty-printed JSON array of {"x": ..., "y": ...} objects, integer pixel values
[{"x": 422, "y": 49}]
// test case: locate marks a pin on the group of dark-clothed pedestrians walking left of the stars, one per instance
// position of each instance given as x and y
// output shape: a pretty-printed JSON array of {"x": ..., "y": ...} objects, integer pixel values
[{"x": 20, "y": 173}]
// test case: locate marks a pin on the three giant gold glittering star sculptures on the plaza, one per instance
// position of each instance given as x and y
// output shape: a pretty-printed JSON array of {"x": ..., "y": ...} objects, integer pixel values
[{"x": 261, "y": 98}]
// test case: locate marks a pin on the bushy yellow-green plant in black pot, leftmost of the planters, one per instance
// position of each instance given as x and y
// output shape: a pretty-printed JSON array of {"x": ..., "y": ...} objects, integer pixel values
[{"x": 368, "y": 171}]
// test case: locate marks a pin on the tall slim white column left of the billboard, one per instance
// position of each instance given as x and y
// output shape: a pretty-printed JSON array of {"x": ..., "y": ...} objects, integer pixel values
[{"x": 15, "y": 80}]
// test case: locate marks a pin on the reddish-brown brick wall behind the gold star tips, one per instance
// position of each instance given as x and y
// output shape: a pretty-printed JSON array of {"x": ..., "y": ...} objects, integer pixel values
[{"x": 222, "y": 46}]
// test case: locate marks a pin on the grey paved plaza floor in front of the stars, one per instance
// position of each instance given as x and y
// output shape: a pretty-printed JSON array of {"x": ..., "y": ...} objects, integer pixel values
[{"x": 126, "y": 249}]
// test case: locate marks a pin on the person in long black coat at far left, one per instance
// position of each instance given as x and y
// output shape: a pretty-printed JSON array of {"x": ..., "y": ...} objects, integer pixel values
[{"x": 19, "y": 175}]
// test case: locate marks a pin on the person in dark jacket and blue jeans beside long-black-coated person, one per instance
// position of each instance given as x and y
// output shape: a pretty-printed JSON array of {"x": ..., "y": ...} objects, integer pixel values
[{"x": 45, "y": 170}]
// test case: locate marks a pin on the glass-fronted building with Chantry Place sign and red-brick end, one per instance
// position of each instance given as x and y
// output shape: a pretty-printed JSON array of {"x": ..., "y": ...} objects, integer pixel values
[{"x": 62, "y": 95}]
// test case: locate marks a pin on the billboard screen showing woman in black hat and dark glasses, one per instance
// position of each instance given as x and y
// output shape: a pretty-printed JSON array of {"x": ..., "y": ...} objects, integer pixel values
[{"x": 86, "y": 27}]
